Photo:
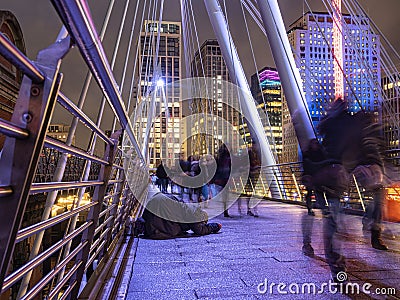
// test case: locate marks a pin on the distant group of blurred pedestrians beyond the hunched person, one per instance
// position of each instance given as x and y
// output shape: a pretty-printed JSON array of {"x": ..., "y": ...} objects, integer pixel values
[{"x": 213, "y": 173}]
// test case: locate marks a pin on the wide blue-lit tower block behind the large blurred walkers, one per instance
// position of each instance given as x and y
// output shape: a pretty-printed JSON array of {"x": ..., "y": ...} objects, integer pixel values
[{"x": 311, "y": 40}]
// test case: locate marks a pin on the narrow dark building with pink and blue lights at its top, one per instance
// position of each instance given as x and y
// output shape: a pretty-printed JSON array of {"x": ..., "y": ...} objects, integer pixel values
[{"x": 266, "y": 91}]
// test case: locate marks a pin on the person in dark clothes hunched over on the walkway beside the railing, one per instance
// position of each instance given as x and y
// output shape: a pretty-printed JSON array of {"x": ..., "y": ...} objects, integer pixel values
[{"x": 166, "y": 217}]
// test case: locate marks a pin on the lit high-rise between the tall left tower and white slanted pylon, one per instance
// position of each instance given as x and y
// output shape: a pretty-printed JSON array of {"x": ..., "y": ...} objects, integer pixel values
[{"x": 220, "y": 107}]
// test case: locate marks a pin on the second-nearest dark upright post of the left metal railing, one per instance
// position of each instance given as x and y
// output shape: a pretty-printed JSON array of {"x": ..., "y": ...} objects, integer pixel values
[{"x": 93, "y": 217}]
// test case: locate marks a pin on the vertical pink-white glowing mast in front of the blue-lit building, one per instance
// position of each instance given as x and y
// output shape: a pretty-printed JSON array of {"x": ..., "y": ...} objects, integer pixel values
[{"x": 337, "y": 48}]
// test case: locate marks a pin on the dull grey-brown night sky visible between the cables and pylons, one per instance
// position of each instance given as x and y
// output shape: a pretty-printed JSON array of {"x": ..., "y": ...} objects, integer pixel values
[{"x": 40, "y": 25}]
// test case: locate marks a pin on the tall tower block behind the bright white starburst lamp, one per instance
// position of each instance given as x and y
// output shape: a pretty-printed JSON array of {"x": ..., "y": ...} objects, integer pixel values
[{"x": 157, "y": 77}]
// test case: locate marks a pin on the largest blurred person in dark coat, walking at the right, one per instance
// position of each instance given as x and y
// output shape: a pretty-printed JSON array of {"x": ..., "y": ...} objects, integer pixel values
[{"x": 353, "y": 141}]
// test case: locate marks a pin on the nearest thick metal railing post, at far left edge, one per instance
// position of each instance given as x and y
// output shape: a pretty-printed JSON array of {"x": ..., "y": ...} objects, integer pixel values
[{"x": 33, "y": 111}]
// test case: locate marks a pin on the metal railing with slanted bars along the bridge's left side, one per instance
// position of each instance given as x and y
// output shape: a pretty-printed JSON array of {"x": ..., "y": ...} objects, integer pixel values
[{"x": 64, "y": 209}]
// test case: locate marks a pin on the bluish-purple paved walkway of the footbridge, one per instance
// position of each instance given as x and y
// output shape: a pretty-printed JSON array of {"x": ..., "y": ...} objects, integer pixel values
[{"x": 250, "y": 254}]
